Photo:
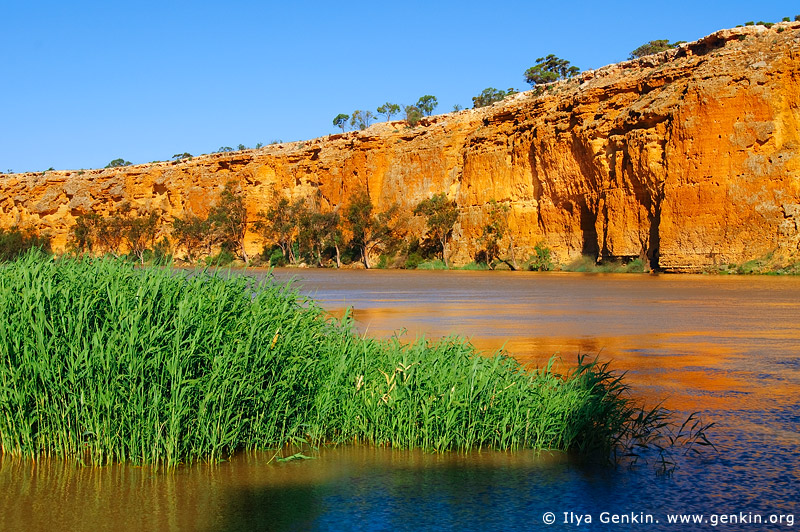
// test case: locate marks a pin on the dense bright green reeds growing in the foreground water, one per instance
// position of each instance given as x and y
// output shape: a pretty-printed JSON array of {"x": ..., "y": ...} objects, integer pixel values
[{"x": 101, "y": 361}]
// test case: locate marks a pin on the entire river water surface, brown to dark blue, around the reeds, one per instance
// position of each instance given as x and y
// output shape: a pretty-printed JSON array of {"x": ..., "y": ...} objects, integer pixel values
[{"x": 728, "y": 347}]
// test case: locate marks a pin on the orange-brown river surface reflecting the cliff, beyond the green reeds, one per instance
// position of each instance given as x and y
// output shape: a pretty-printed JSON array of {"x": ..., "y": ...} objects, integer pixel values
[{"x": 676, "y": 336}]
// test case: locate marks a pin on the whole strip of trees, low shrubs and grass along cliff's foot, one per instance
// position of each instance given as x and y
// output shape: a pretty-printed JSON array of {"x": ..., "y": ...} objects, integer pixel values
[{"x": 302, "y": 233}]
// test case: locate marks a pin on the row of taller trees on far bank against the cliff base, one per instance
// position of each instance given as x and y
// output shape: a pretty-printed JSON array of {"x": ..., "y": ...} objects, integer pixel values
[{"x": 295, "y": 232}]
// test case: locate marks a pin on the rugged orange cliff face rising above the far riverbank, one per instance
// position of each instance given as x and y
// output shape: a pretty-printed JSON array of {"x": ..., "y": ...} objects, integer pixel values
[{"x": 689, "y": 158}]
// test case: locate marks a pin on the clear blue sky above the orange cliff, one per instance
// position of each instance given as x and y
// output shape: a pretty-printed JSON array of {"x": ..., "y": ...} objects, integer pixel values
[{"x": 83, "y": 83}]
